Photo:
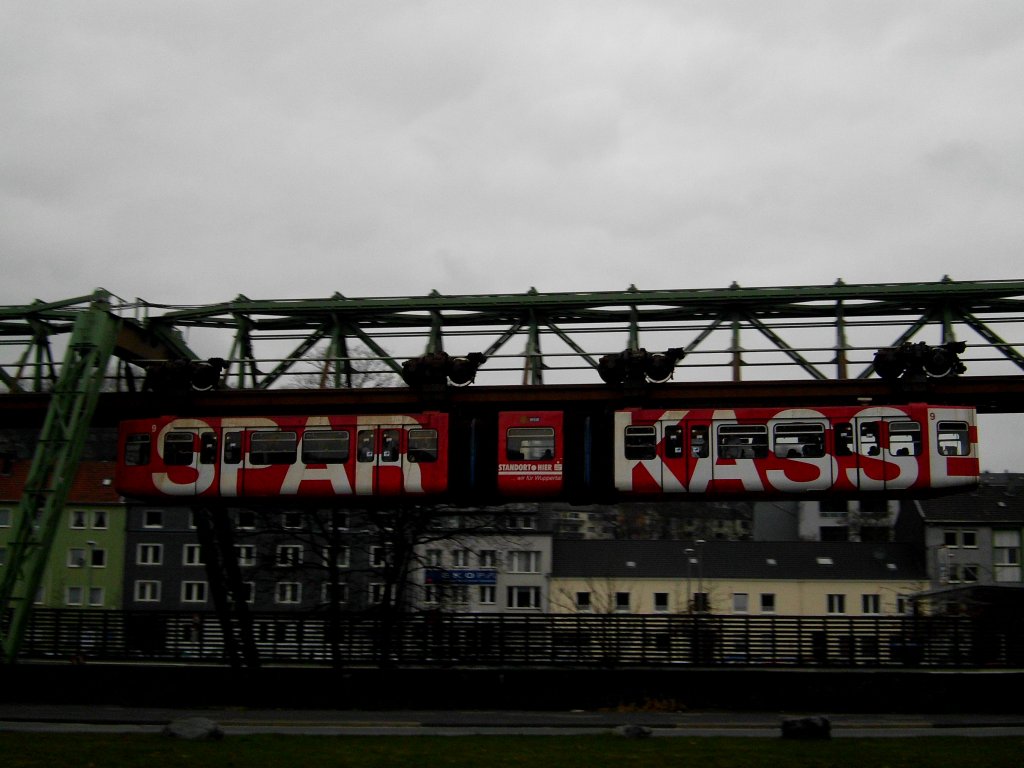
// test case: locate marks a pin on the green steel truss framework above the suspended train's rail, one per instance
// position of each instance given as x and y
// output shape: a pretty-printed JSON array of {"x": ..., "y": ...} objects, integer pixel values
[{"x": 821, "y": 332}]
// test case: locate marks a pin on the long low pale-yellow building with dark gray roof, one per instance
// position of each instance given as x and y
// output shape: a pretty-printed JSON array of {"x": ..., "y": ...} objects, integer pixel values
[{"x": 786, "y": 579}]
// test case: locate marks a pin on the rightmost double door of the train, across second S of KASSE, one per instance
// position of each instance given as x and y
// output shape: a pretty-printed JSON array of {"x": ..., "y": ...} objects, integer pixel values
[{"x": 888, "y": 449}]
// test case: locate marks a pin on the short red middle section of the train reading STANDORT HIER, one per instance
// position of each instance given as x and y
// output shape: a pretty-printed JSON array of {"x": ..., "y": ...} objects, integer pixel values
[{"x": 531, "y": 453}]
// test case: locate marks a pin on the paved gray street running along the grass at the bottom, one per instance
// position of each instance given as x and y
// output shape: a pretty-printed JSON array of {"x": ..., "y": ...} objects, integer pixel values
[{"x": 55, "y": 719}]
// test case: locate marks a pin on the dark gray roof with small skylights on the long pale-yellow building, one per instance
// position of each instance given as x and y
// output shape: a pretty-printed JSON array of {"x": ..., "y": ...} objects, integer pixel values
[{"x": 775, "y": 561}]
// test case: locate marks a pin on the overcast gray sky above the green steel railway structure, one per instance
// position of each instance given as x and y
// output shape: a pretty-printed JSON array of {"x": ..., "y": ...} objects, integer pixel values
[{"x": 191, "y": 151}]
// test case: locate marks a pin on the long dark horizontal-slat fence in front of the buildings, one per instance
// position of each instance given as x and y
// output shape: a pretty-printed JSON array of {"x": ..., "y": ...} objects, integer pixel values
[{"x": 508, "y": 641}]
